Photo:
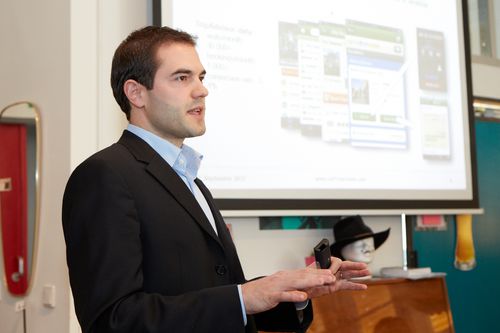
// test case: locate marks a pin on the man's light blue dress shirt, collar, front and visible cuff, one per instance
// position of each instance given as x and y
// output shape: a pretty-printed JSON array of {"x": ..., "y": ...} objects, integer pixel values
[{"x": 185, "y": 161}]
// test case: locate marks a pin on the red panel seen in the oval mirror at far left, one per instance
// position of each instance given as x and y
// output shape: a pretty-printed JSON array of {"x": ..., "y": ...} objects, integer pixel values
[{"x": 14, "y": 206}]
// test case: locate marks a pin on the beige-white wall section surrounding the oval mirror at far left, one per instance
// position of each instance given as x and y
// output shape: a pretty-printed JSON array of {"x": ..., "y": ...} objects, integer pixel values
[{"x": 34, "y": 66}]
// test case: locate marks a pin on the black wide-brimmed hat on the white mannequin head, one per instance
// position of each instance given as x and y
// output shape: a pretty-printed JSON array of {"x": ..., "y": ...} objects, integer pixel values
[{"x": 351, "y": 229}]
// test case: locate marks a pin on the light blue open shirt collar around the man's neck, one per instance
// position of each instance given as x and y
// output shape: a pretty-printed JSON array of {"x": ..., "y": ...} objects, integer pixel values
[{"x": 185, "y": 160}]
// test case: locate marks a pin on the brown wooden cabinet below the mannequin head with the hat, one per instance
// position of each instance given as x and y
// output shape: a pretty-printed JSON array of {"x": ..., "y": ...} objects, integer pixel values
[{"x": 388, "y": 305}]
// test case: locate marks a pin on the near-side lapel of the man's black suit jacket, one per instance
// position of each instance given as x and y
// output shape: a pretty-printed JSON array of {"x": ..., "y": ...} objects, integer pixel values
[{"x": 164, "y": 174}]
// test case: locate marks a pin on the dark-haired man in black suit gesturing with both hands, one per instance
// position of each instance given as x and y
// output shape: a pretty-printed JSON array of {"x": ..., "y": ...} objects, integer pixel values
[{"x": 147, "y": 249}]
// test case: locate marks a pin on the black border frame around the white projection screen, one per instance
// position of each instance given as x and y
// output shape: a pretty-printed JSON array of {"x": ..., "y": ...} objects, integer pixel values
[{"x": 290, "y": 207}]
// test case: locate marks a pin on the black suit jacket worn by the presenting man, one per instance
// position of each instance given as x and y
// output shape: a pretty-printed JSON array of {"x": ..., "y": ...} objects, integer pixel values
[{"x": 142, "y": 256}]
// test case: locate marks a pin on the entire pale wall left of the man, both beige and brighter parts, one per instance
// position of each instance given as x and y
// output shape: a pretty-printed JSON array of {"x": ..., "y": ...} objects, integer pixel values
[{"x": 57, "y": 54}]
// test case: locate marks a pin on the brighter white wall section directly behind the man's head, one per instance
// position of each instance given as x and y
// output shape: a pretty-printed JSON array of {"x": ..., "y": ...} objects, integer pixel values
[{"x": 97, "y": 27}]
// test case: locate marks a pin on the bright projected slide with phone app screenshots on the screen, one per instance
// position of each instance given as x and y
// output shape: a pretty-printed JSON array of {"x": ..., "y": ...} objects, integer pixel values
[{"x": 359, "y": 99}]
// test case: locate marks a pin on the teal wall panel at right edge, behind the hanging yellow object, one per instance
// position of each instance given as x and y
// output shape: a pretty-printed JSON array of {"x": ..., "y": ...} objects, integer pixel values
[{"x": 474, "y": 295}]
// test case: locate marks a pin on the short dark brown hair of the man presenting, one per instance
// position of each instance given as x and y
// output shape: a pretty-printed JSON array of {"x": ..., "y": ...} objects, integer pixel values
[{"x": 135, "y": 59}]
